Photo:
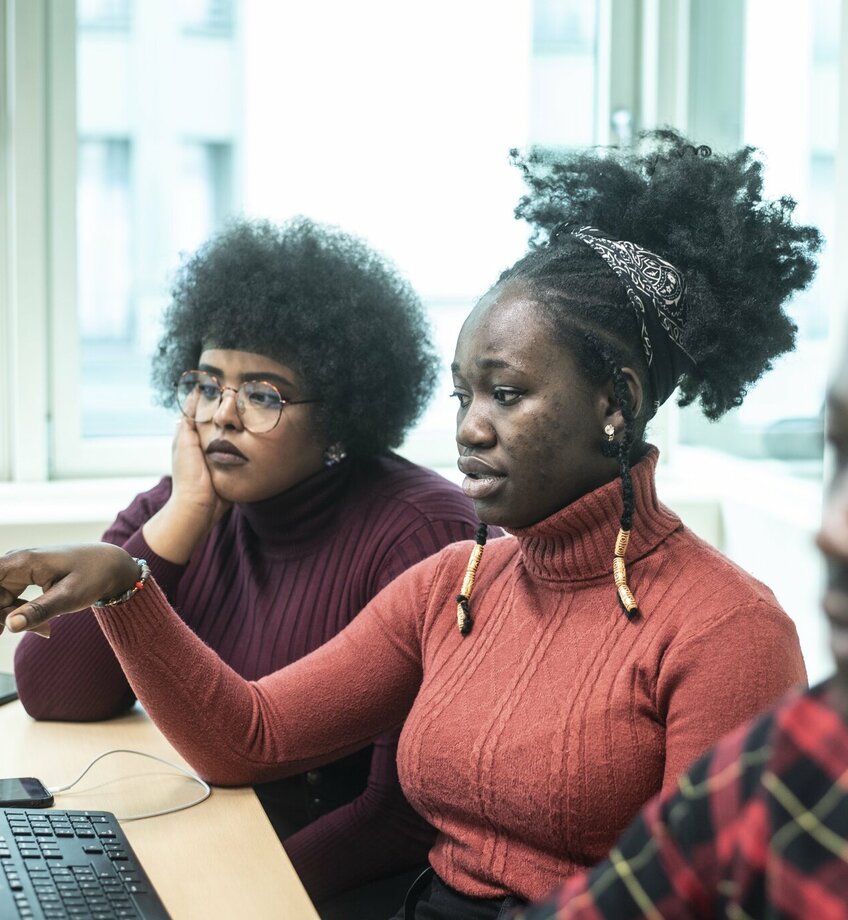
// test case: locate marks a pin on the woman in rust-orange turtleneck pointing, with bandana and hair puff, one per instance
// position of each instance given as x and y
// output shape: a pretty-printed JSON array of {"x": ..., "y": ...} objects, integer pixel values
[{"x": 557, "y": 678}]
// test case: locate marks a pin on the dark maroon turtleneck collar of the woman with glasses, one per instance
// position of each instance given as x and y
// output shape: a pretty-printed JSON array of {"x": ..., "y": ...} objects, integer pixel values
[{"x": 301, "y": 513}]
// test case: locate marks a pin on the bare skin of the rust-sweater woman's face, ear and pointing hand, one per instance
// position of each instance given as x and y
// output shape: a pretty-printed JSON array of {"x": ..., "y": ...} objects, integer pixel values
[{"x": 529, "y": 432}]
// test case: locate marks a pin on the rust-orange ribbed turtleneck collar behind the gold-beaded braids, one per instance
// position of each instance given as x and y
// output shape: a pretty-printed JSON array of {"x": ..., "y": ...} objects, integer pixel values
[{"x": 577, "y": 543}]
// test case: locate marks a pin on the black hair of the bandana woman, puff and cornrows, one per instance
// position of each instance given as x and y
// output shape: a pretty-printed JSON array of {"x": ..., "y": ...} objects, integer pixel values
[{"x": 741, "y": 254}]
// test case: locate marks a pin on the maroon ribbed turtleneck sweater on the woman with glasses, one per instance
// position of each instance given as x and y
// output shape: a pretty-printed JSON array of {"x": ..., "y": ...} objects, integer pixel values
[{"x": 272, "y": 582}]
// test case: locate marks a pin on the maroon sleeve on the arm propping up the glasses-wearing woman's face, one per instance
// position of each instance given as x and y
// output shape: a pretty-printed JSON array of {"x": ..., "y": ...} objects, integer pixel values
[{"x": 75, "y": 676}]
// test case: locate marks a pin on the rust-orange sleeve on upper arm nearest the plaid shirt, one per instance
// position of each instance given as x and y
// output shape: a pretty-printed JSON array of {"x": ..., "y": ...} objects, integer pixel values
[{"x": 720, "y": 675}]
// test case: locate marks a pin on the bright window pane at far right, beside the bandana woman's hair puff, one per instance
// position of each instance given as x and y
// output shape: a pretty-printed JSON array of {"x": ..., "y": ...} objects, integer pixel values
[{"x": 791, "y": 114}]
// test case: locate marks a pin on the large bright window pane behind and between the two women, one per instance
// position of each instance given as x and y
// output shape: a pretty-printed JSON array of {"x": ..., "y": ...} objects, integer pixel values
[{"x": 194, "y": 110}]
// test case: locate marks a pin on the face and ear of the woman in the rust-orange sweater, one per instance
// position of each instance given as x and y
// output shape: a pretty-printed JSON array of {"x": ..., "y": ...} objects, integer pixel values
[{"x": 529, "y": 429}]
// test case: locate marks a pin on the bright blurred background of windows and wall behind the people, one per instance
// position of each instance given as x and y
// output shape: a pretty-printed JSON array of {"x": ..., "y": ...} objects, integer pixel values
[{"x": 134, "y": 128}]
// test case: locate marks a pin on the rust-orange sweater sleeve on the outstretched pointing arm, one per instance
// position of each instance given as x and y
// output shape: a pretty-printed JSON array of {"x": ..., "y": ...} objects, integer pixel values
[{"x": 326, "y": 705}]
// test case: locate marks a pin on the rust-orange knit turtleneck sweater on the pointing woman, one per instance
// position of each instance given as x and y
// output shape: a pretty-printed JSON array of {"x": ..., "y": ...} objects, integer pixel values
[{"x": 532, "y": 742}]
